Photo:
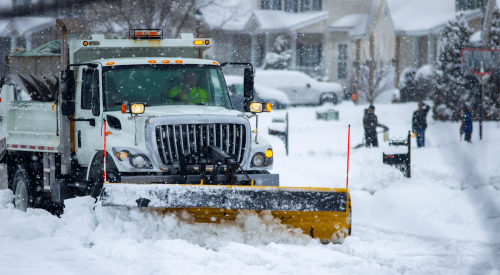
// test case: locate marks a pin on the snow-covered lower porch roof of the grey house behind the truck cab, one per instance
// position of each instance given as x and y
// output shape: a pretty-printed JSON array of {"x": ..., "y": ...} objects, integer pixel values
[{"x": 279, "y": 20}]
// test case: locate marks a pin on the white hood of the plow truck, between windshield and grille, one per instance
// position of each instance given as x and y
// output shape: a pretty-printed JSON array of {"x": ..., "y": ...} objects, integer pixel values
[{"x": 129, "y": 125}]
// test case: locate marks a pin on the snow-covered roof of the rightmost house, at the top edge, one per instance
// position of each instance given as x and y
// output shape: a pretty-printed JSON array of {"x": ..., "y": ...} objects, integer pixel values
[{"x": 422, "y": 16}]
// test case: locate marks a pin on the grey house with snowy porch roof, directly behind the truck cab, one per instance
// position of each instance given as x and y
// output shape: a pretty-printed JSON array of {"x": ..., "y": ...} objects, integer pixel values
[{"x": 302, "y": 22}]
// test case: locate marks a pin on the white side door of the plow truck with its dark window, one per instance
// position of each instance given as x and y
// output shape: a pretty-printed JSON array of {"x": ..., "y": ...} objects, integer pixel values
[{"x": 88, "y": 97}]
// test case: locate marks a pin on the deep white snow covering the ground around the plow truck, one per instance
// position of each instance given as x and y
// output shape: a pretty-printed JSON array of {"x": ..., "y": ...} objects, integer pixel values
[{"x": 444, "y": 220}]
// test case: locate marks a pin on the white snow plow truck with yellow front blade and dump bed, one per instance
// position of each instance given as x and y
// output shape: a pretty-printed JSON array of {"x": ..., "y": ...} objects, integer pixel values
[{"x": 147, "y": 122}]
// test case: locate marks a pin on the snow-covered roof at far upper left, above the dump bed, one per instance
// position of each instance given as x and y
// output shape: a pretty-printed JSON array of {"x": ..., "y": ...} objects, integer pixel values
[{"x": 23, "y": 25}]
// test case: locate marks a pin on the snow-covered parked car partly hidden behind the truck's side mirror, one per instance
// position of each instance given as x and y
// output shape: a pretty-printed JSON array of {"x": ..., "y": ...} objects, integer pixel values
[{"x": 262, "y": 93}]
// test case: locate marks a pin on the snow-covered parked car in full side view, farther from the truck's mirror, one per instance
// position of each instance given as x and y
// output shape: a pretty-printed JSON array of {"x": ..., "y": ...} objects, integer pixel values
[{"x": 300, "y": 88}]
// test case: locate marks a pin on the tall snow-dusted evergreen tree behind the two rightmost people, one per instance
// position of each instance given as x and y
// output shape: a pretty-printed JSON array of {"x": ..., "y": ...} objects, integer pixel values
[{"x": 453, "y": 88}]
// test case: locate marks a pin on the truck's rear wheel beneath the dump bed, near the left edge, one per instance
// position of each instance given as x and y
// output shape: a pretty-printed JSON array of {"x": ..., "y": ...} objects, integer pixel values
[{"x": 23, "y": 191}]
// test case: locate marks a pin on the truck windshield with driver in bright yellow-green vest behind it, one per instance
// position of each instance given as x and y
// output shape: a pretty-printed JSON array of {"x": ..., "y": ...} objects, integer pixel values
[{"x": 159, "y": 85}]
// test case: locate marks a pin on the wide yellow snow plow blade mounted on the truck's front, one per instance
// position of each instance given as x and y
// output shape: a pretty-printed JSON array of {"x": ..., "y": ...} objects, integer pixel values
[{"x": 323, "y": 213}]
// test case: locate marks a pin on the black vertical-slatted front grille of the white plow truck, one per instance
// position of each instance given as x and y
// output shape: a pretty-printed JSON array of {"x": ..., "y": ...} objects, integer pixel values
[{"x": 184, "y": 139}]
